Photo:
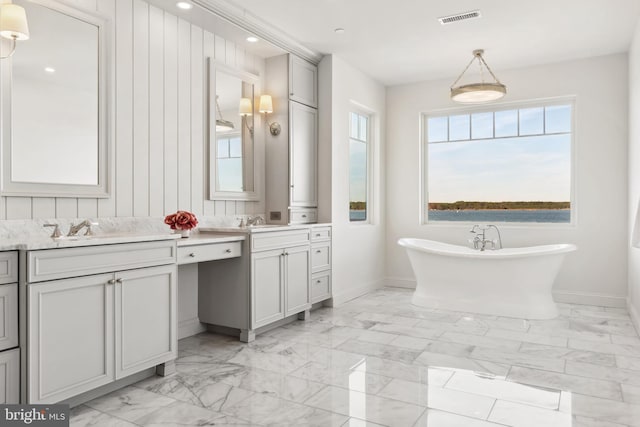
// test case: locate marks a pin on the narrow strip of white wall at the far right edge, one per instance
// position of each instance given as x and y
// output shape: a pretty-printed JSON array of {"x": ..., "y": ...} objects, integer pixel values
[{"x": 634, "y": 173}]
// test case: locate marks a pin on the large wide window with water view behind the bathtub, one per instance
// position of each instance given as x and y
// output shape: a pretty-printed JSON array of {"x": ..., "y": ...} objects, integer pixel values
[{"x": 502, "y": 165}]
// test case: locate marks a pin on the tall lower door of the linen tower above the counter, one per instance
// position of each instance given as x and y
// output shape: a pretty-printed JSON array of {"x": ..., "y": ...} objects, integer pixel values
[{"x": 303, "y": 147}]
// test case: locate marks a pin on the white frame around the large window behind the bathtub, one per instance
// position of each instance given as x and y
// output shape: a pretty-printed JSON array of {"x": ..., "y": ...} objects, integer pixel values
[{"x": 495, "y": 107}]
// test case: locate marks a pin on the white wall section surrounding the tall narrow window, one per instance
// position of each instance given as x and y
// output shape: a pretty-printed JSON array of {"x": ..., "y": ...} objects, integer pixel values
[{"x": 358, "y": 249}]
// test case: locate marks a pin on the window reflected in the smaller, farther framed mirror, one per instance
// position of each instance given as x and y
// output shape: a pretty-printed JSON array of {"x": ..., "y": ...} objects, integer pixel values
[{"x": 229, "y": 159}]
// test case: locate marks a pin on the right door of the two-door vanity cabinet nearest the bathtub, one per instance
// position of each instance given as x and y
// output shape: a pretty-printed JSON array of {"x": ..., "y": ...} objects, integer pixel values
[{"x": 297, "y": 279}]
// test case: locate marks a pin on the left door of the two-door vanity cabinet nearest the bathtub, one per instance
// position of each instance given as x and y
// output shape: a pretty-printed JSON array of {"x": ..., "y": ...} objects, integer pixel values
[{"x": 267, "y": 299}]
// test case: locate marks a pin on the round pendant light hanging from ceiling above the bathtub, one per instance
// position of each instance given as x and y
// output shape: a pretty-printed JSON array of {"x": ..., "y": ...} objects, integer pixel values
[{"x": 478, "y": 93}]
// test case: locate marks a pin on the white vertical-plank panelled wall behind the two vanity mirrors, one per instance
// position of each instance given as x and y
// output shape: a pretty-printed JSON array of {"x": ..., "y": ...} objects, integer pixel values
[{"x": 159, "y": 109}]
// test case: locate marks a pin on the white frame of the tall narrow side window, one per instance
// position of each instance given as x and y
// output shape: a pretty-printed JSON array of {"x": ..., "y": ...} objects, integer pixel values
[{"x": 371, "y": 117}]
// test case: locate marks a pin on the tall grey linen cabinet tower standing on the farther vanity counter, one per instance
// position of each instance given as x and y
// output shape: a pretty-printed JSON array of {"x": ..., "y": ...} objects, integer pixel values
[{"x": 291, "y": 156}]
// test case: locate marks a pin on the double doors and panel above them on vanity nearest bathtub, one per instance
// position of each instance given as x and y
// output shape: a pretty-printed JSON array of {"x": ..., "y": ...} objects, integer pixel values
[{"x": 280, "y": 274}]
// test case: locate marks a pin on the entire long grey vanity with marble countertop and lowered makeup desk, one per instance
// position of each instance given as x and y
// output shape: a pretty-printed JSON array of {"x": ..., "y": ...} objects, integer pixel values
[{"x": 99, "y": 313}]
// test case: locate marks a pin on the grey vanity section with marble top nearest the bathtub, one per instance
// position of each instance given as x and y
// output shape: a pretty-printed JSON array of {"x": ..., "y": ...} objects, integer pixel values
[{"x": 282, "y": 272}]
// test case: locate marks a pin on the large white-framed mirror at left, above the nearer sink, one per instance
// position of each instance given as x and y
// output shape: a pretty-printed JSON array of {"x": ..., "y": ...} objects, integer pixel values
[{"x": 54, "y": 106}]
